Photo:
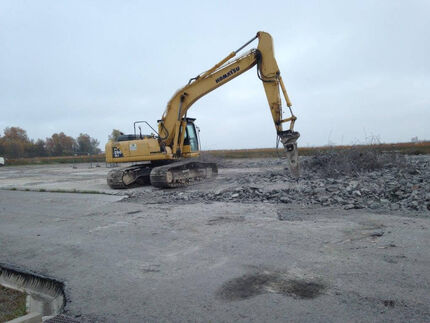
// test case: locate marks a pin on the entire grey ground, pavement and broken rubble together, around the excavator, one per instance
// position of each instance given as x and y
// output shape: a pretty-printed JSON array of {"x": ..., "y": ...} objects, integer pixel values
[{"x": 339, "y": 244}]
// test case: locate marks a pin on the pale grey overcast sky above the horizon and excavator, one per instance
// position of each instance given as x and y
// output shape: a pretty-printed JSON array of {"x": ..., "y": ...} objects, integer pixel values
[{"x": 355, "y": 71}]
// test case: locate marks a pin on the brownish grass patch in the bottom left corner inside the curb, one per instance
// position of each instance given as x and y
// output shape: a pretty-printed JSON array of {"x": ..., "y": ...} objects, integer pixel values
[{"x": 12, "y": 304}]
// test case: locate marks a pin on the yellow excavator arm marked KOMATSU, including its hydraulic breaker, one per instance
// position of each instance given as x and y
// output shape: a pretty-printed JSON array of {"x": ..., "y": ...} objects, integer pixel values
[{"x": 172, "y": 124}]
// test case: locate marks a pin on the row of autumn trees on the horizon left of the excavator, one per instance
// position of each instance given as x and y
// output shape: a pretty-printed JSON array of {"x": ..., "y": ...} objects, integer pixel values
[{"x": 15, "y": 144}]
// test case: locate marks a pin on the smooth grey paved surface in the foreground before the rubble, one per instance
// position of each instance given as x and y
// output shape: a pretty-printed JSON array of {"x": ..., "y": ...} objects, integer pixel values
[{"x": 135, "y": 262}]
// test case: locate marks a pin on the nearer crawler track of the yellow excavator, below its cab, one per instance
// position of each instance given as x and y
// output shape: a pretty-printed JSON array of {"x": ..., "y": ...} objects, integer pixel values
[{"x": 182, "y": 173}]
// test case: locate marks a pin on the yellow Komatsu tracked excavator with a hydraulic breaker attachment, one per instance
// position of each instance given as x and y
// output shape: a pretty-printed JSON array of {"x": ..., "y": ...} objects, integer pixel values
[{"x": 167, "y": 157}]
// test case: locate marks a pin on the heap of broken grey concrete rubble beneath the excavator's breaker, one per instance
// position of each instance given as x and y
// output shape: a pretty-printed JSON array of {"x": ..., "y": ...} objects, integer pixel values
[{"x": 392, "y": 183}]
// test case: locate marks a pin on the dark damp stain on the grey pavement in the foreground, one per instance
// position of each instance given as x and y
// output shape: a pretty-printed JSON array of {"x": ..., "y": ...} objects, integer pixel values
[{"x": 251, "y": 285}]
